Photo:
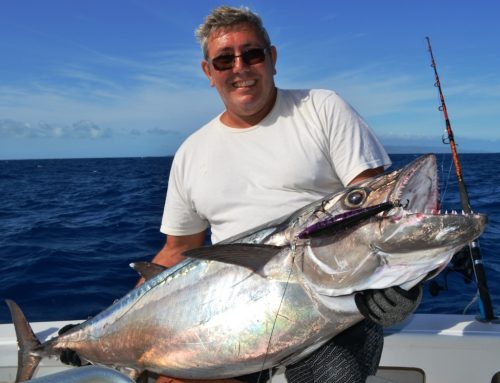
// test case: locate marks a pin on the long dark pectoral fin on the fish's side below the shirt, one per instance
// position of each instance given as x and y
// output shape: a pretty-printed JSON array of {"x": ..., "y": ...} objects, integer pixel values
[{"x": 250, "y": 256}]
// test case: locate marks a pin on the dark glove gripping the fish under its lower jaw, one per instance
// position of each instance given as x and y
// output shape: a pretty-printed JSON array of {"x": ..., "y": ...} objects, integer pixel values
[{"x": 388, "y": 306}]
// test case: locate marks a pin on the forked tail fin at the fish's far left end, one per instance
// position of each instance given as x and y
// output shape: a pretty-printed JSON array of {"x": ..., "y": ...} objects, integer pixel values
[{"x": 27, "y": 341}]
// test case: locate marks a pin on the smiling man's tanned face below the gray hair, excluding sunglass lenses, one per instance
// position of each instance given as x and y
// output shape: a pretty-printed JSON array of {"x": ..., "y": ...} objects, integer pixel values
[{"x": 248, "y": 91}]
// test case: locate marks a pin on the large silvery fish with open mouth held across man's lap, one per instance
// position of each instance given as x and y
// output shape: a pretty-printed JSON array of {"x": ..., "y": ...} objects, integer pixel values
[{"x": 271, "y": 295}]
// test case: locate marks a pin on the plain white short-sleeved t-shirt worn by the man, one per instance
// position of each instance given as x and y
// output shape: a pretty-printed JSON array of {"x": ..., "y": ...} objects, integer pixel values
[{"x": 311, "y": 144}]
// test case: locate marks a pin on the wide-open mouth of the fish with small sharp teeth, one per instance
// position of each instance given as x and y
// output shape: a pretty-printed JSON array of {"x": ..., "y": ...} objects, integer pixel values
[{"x": 418, "y": 217}]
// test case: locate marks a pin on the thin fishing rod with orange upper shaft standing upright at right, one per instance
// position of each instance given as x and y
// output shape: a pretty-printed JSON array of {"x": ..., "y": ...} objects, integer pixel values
[{"x": 485, "y": 306}]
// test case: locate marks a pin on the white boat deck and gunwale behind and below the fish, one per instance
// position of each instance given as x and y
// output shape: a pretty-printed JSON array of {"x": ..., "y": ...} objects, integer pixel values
[{"x": 426, "y": 348}]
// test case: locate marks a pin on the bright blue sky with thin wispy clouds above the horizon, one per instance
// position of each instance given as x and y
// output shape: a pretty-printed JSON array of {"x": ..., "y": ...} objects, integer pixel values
[{"x": 109, "y": 78}]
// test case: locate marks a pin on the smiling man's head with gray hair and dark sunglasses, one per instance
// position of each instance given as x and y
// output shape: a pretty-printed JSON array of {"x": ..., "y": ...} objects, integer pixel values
[{"x": 240, "y": 63}]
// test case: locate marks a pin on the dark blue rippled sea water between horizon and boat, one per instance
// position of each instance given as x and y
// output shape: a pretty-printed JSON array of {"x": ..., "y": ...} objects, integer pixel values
[{"x": 69, "y": 229}]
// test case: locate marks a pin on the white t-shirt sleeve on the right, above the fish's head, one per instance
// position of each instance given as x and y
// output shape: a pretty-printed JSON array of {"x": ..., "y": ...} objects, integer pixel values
[{"x": 354, "y": 146}]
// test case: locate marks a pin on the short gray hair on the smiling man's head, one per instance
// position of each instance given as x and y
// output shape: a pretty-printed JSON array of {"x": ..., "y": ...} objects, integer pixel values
[{"x": 227, "y": 17}]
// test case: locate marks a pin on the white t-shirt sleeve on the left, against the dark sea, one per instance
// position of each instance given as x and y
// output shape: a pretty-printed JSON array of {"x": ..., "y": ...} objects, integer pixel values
[{"x": 179, "y": 214}]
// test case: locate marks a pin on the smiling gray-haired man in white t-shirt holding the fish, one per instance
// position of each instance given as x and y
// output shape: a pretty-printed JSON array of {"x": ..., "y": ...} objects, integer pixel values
[{"x": 269, "y": 153}]
